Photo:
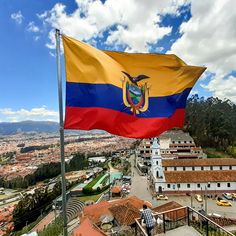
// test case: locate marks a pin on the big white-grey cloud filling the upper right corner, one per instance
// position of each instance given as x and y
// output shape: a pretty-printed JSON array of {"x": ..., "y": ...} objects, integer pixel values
[{"x": 209, "y": 39}]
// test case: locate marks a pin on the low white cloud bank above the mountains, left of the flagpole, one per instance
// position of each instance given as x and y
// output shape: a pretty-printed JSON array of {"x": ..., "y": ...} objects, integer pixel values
[{"x": 38, "y": 114}]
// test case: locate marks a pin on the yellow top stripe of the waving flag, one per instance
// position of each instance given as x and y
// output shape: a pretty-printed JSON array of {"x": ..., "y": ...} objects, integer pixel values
[{"x": 167, "y": 74}]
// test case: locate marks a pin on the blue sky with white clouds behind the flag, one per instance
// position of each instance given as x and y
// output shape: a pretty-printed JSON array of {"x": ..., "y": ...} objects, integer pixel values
[{"x": 201, "y": 34}]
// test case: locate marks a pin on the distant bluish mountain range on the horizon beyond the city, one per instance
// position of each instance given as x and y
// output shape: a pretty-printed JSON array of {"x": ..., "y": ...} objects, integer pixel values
[{"x": 29, "y": 126}]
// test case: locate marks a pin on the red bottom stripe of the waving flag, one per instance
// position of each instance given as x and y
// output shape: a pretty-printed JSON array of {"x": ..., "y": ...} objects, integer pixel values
[{"x": 120, "y": 123}]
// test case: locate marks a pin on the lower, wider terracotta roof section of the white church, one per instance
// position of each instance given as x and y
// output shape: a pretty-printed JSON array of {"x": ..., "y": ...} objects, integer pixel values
[{"x": 200, "y": 176}]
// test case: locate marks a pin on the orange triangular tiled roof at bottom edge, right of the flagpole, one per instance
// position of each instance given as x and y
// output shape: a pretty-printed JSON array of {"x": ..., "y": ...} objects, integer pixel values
[{"x": 87, "y": 228}]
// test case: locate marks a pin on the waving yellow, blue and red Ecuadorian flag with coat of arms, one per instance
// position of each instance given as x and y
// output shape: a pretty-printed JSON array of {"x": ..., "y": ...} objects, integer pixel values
[{"x": 132, "y": 95}]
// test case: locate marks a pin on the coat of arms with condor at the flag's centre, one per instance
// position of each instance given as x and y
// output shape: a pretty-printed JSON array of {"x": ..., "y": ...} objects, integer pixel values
[{"x": 135, "y": 95}]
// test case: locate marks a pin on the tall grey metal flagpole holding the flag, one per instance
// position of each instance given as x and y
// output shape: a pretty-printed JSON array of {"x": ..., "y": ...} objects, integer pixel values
[{"x": 63, "y": 180}]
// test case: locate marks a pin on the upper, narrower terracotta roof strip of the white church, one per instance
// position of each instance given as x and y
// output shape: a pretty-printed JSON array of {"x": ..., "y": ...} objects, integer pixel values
[{"x": 200, "y": 162}]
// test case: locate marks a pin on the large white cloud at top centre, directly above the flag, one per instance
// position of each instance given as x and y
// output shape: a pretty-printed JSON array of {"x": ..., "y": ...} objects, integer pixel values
[{"x": 137, "y": 21}]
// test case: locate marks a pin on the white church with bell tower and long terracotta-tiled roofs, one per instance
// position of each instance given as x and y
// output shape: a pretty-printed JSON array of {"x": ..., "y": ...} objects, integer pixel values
[{"x": 192, "y": 175}]
